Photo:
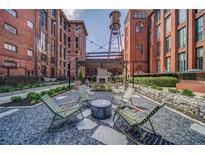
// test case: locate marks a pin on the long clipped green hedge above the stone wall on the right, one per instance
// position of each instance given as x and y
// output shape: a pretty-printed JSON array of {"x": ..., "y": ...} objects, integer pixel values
[{"x": 163, "y": 81}]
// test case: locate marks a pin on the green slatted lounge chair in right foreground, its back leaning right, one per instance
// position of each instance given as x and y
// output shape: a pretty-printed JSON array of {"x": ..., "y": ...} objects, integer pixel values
[{"x": 128, "y": 114}]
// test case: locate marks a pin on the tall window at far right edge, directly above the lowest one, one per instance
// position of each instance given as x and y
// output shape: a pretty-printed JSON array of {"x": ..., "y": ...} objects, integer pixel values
[{"x": 199, "y": 28}]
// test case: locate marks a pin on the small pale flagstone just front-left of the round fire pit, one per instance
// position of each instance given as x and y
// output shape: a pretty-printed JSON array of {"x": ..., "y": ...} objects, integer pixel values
[{"x": 86, "y": 124}]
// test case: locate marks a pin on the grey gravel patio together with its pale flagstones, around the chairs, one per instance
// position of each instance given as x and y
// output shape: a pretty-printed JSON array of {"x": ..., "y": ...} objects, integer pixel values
[{"x": 29, "y": 126}]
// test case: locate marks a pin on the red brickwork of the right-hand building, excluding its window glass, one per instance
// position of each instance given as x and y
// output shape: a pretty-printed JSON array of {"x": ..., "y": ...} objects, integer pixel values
[{"x": 148, "y": 37}]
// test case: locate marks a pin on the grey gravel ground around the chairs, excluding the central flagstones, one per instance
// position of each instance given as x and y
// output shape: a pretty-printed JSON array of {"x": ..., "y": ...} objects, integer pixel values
[{"x": 29, "y": 125}]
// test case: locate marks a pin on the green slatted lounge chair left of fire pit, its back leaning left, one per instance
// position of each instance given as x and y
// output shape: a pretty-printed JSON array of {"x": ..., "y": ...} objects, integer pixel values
[{"x": 61, "y": 111}]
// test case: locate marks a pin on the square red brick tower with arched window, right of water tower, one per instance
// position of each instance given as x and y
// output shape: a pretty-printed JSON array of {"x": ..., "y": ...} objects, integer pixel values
[{"x": 136, "y": 40}]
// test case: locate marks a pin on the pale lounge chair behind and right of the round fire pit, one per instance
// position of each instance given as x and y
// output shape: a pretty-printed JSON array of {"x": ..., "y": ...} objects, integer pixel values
[{"x": 126, "y": 97}]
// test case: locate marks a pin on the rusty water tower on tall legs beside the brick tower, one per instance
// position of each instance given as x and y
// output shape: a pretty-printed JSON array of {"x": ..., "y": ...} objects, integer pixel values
[{"x": 115, "y": 43}]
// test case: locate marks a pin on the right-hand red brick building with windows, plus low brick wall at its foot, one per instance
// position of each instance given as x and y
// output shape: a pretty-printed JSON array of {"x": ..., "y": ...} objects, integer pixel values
[{"x": 172, "y": 41}]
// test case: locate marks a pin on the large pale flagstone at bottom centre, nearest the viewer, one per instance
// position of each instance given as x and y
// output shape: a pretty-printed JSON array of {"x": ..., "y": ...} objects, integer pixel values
[{"x": 109, "y": 136}]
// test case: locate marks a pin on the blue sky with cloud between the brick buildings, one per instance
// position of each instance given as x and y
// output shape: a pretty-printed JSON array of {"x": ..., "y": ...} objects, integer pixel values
[{"x": 97, "y": 24}]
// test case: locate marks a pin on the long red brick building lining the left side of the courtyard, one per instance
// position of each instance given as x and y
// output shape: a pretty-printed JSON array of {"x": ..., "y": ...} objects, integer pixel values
[{"x": 36, "y": 42}]
